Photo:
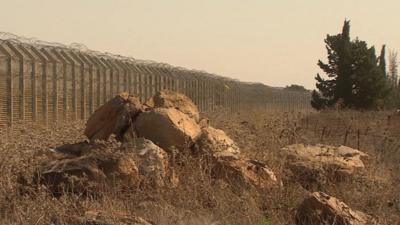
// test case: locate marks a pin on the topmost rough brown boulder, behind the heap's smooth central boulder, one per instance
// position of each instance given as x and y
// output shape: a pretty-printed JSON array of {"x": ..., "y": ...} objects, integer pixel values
[{"x": 171, "y": 99}]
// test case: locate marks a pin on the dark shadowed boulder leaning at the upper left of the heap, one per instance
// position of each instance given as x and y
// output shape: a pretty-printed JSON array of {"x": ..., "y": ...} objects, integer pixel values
[{"x": 114, "y": 117}]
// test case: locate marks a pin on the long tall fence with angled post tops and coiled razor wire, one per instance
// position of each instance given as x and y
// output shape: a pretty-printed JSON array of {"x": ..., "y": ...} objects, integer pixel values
[{"x": 49, "y": 82}]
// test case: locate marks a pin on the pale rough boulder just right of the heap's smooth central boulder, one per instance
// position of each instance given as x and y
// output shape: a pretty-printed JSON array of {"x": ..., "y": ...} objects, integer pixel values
[{"x": 215, "y": 142}]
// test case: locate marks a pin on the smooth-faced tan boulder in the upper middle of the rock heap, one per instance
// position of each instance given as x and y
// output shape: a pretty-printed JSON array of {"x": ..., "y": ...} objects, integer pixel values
[{"x": 167, "y": 127}]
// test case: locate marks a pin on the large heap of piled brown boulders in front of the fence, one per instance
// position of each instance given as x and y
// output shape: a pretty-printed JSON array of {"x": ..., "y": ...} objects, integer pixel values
[{"x": 150, "y": 134}]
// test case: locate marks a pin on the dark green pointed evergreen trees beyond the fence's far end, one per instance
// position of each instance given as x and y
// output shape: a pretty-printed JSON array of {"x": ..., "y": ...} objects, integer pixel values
[{"x": 356, "y": 77}]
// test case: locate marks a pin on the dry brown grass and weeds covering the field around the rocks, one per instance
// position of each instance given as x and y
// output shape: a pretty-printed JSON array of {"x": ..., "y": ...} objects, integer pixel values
[{"x": 199, "y": 199}]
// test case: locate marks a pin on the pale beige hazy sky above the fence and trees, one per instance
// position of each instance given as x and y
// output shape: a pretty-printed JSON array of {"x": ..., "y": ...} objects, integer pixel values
[{"x": 276, "y": 42}]
